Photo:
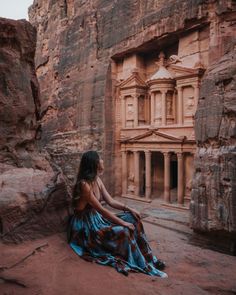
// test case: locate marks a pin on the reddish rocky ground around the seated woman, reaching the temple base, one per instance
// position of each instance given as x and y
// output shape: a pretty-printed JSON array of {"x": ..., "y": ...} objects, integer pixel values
[{"x": 48, "y": 266}]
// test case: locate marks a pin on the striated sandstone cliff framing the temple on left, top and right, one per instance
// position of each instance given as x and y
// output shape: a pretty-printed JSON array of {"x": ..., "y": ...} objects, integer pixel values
[{"x": 78, "y": 45}]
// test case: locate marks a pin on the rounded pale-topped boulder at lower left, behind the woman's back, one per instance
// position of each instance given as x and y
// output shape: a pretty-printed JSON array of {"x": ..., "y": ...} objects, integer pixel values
[{"x": 33, "y": 204}]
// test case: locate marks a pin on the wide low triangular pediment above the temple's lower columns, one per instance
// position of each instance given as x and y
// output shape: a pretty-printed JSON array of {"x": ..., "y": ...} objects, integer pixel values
[{"x": 154, "y": 136}]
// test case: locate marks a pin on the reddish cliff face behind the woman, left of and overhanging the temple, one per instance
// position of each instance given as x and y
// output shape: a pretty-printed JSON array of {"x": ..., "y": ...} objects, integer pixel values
[{"x": 74, "y": 67}]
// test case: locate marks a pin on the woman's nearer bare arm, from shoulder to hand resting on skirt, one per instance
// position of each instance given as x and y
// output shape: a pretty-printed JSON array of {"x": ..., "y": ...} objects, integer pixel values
[{"x": 92, "y": 200}]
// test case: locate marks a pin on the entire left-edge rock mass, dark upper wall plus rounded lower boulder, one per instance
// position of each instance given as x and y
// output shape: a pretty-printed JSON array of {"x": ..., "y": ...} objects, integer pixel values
[{"x": 33, "y": 198}]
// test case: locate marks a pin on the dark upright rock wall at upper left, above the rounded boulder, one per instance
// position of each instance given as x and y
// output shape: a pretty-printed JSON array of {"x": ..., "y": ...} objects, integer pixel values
[{"x": 19, "y": 95}]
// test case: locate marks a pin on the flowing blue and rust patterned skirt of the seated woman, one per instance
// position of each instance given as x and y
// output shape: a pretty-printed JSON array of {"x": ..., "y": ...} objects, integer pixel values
[{"x": 97, "y": 239}]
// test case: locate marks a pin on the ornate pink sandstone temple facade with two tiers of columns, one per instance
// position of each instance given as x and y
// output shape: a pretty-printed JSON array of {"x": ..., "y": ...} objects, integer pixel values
[{"x": 155, "y": 128}]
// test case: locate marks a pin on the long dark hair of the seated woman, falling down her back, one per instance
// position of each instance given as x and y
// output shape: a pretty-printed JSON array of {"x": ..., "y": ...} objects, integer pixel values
[{"x": 87, "y": 171}]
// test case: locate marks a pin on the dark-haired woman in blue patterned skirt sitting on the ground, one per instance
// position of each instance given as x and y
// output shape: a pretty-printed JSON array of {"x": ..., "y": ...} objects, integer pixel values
[{"x": 96, "y": 234}]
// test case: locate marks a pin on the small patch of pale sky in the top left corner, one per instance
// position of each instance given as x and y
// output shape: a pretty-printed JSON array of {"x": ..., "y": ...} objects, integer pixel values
[{"x": 15, "y": 9}]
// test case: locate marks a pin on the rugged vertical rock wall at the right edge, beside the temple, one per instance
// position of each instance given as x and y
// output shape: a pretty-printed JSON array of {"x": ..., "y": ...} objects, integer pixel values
[{"x": 213, "y": 205}]
